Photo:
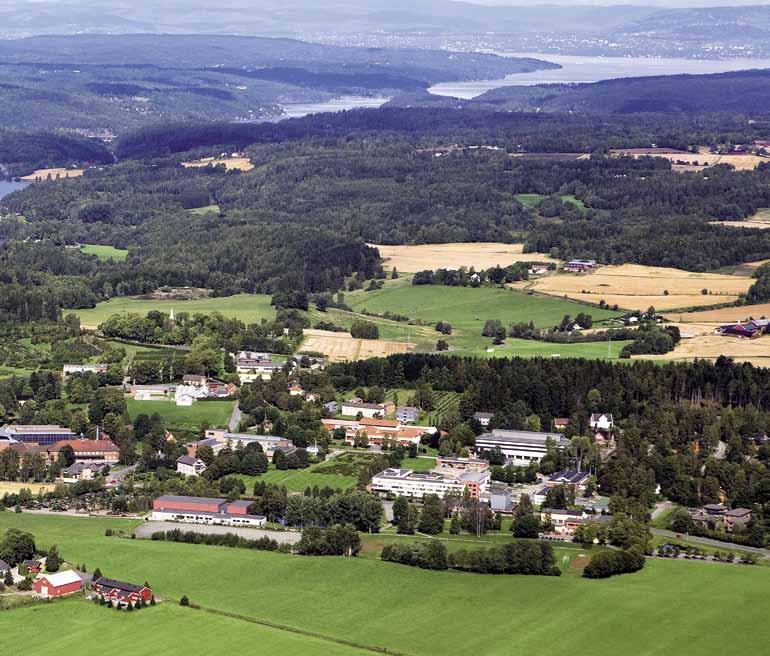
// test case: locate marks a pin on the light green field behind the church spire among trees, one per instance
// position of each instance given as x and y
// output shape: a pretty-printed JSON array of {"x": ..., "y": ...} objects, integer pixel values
[{"x": 250, "y": 308}]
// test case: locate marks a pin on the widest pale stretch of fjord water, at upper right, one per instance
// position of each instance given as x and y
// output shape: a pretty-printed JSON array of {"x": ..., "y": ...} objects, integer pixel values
[{"x": 592, "y": 69}]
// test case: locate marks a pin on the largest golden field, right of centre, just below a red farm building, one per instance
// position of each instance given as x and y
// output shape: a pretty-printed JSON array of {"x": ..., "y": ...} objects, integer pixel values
[{"x": 635, "y": 286}]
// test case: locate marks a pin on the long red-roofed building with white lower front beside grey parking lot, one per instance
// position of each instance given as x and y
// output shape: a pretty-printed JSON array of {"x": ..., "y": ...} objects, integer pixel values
[{"x": 201, "y": 510}]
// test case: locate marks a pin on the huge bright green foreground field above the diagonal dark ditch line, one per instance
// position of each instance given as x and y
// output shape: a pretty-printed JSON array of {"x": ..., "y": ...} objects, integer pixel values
[{"x": 384, "y": 604}]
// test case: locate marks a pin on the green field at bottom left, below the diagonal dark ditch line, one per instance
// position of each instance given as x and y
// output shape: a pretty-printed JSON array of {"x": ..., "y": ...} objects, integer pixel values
[{"x": 165, "y": 629}]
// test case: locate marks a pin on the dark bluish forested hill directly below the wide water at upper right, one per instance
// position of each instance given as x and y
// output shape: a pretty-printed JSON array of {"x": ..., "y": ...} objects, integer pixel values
[{"x": 741, "y": 92}]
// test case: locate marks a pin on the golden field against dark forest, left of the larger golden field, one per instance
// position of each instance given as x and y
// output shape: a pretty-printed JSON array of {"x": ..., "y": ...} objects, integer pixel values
[{"x": 483, "y": 255}]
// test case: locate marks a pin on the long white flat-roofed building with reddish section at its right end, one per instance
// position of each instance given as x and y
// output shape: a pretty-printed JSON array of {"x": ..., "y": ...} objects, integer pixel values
[{"x": 416, "y": 485}]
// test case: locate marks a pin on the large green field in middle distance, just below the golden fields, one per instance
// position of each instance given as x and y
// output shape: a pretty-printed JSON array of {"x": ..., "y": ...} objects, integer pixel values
[{"x": 467, "y": 309}]
